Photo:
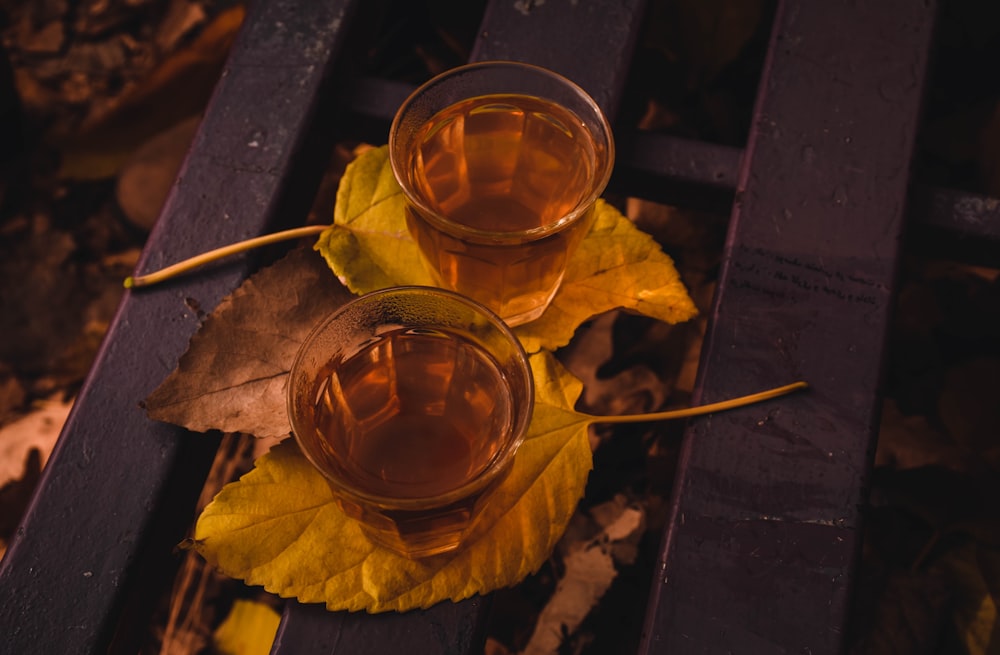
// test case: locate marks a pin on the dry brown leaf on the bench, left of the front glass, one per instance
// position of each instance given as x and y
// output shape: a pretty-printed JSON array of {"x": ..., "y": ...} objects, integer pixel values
[{"x": 232, "y": 377}]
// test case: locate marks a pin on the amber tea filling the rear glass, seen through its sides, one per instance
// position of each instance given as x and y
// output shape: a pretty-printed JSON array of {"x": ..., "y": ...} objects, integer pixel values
[{"x": 503, "y": 164}]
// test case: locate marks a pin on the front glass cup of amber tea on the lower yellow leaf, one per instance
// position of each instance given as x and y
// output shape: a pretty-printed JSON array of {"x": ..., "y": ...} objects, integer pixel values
[{"x": 412, "y": 402}]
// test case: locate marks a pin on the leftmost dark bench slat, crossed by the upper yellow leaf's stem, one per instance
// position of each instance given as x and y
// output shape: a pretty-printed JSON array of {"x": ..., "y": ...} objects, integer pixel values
[{"x": 94, "y": 530}]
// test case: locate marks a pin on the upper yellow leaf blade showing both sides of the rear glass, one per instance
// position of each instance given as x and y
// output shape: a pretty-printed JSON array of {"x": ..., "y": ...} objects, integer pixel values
[{"x": 616, "y": 266}]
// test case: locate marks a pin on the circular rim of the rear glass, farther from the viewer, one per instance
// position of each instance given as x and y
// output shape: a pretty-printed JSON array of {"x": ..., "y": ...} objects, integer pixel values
[{"x": 602, "y": 173}]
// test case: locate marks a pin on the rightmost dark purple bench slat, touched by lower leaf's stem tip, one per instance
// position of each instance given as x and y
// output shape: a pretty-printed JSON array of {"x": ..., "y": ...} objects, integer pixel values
[{"x": 765, "y": 525}]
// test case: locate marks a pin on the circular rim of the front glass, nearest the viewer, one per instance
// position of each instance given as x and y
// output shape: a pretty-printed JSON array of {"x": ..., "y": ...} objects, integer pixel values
[{"x": 496, "y": 466}]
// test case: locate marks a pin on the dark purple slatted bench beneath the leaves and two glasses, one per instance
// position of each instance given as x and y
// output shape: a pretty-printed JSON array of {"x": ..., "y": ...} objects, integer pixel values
[{"x": 766, "y": 523}]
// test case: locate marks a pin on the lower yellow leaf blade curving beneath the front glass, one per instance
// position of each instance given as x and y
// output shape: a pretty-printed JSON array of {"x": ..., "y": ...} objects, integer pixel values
[{"x": 279, "y": 526}]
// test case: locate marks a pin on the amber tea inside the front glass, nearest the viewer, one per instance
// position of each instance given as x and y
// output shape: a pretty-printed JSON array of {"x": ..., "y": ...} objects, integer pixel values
[{"x": 414, "y": 415}]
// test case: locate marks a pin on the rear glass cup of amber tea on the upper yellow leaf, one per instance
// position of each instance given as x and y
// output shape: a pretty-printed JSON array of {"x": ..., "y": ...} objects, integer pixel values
[{"x": 501, "y": 163}]
